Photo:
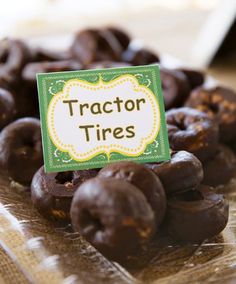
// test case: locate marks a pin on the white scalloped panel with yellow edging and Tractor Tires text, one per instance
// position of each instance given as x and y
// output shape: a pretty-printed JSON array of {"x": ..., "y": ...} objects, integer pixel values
[{"x": 86, "y": 119}]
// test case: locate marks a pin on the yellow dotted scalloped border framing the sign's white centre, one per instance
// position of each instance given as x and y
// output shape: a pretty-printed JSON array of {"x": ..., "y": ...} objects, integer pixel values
[{"x": 85, "y": 156}]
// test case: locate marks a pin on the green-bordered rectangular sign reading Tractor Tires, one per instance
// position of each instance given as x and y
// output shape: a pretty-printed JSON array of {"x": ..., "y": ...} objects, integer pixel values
[{"x": 94, "y": 117}]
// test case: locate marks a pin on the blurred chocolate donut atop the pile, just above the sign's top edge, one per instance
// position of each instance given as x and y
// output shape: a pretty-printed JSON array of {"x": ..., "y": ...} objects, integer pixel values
[{"x": 92, "y": 45}]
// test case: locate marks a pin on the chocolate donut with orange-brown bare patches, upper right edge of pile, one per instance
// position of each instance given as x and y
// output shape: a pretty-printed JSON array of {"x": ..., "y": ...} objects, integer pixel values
[{"x": 220, "y": 103}]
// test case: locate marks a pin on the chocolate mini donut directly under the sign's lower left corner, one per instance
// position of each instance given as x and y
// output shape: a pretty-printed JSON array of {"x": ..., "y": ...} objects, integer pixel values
[{"x": 52, "y": 193}]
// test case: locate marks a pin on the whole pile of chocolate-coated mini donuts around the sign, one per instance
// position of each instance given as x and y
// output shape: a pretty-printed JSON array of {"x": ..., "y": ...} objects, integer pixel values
[{"x": 121, "y": 207}]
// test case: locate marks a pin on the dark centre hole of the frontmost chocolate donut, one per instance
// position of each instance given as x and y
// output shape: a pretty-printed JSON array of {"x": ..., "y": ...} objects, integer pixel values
[{"x": 90, "y": 222}]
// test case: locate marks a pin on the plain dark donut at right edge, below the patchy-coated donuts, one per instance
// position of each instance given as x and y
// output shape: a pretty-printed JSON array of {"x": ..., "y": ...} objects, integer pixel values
[{"x": 219, "y": 169}]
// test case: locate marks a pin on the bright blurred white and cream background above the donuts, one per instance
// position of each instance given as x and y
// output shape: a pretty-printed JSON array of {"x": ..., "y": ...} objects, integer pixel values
[{"x": 167, "y": 26}]
